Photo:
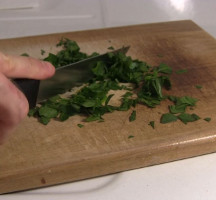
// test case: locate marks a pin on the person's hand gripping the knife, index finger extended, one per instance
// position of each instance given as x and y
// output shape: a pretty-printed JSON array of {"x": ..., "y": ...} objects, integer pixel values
[{"x": 13, "y": 103}]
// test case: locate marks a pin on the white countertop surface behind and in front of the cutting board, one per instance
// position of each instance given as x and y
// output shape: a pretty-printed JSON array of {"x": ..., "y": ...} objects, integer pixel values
[{"x": 192, "y": 179}]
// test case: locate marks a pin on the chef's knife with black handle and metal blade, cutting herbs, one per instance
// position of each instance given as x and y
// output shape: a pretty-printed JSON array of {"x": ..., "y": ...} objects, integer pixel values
[{"x": 65, "y": 78}]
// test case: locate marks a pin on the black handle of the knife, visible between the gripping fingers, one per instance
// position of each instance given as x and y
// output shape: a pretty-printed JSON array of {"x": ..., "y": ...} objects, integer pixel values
[{"x": 30, "y": 88}]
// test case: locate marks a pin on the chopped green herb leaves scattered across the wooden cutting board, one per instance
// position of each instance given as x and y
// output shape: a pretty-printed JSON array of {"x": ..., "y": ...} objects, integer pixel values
[{"x": 93, "y": 99}]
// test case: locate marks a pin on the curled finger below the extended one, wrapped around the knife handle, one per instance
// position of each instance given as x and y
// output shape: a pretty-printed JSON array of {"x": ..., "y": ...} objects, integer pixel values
[{"x": 13, "y": 106}]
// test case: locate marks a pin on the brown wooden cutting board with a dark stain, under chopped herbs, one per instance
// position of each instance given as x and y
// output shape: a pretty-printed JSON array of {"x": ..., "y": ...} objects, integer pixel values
[{"x": 37, "y": 155}]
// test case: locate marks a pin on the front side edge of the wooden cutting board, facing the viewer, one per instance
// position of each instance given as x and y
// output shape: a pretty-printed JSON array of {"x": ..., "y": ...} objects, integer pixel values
[{"x": 124, "y": 161}]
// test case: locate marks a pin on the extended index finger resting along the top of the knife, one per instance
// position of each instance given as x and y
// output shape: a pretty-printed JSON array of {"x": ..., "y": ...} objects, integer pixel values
[{"x": 25, "y": 67}]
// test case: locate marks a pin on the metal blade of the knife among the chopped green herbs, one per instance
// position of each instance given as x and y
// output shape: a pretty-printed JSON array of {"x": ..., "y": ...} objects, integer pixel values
[{"x": 72, "y": 75}]
